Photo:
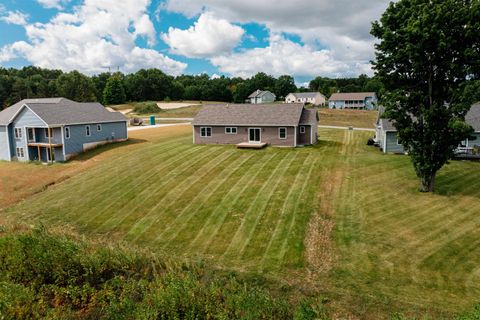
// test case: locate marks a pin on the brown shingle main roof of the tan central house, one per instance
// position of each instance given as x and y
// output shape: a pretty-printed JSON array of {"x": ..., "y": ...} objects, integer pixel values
[{"x": 250, "y": 114}]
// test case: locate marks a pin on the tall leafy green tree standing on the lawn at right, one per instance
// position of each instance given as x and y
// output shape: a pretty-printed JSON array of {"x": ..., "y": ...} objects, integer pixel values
[{"x": 429, "y": 51}]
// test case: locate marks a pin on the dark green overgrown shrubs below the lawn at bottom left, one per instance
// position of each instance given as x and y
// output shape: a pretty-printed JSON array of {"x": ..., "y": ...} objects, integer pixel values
[{"x": 51, "y": 276}]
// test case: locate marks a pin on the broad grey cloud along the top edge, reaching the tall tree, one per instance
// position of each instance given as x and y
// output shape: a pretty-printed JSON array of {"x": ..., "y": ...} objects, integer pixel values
[{"x": 342, "y": 27}]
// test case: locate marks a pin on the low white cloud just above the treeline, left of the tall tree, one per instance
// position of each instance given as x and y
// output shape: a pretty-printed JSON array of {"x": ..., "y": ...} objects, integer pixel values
[{"x": 283, "y": 56}]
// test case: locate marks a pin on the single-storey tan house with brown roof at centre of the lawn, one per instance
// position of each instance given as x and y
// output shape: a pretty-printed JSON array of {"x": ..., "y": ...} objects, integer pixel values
[{"x": 275, "y": 124}]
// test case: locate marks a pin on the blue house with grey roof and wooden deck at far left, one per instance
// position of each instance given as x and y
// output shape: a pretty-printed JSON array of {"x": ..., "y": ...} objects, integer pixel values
[{"x": 56, "y": 129}]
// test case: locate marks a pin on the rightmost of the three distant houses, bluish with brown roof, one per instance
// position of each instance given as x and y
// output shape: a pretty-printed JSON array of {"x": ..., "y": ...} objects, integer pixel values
[{"x": 353, "y": 100}]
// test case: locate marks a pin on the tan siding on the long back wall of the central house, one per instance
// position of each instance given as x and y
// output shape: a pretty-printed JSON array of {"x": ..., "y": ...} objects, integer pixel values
[{"x": 268, "y": 135}]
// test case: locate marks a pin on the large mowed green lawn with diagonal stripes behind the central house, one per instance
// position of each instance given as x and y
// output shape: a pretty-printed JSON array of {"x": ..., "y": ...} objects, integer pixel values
[{"x": 339, "y": 220}]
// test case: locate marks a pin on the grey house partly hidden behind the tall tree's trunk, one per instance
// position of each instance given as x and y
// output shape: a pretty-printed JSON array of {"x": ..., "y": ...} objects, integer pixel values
[{"x": 387, "y": 139}]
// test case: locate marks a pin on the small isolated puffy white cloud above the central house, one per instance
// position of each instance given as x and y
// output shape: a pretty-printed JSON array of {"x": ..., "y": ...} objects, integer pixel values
[{"x": 209, "y": 36}]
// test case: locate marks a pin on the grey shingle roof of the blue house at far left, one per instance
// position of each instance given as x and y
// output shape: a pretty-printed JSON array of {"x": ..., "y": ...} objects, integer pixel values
[{"x": 61, "y": 111}]
